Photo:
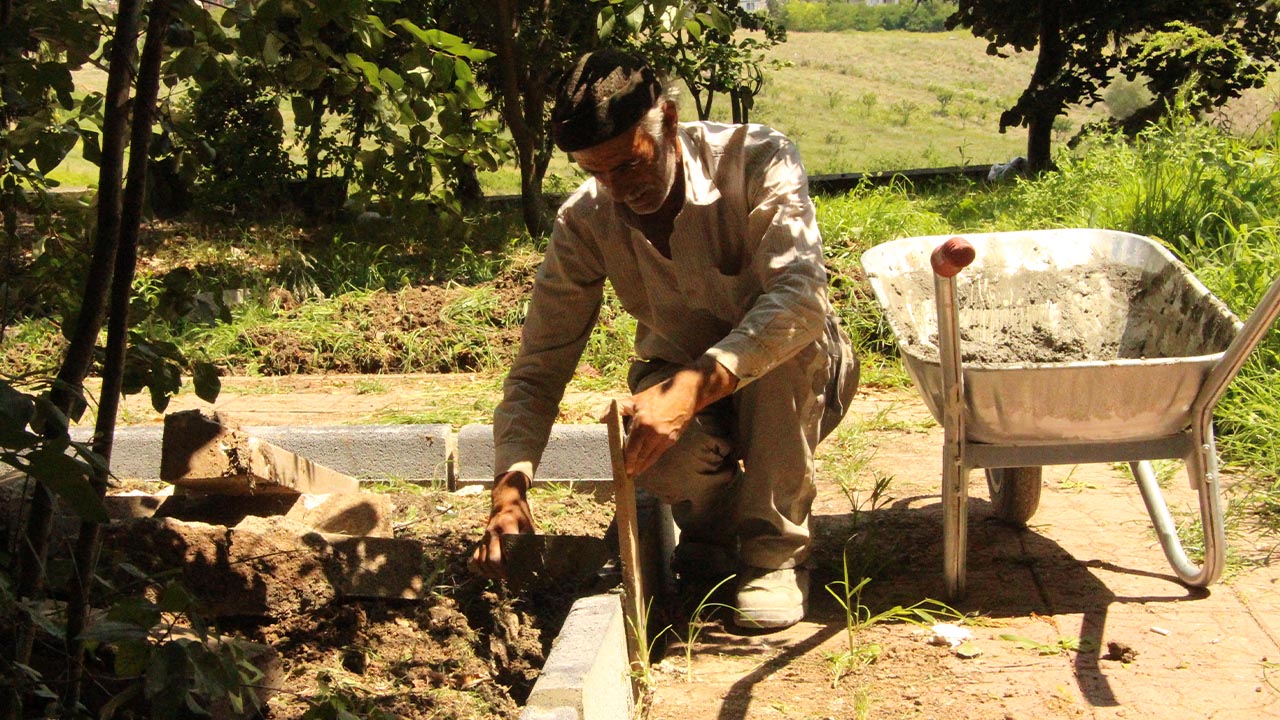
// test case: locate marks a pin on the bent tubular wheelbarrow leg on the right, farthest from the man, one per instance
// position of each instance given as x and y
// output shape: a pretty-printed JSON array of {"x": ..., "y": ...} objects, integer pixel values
[{"x": 1203, "y": 471}]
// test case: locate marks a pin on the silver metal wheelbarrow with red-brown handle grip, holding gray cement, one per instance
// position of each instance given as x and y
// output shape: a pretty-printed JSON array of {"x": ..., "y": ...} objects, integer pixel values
[{"x": 1066, "y": 347}]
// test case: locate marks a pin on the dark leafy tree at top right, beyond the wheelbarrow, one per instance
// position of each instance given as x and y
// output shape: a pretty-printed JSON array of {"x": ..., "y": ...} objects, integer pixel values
[{"x": 1085, "y": 43}]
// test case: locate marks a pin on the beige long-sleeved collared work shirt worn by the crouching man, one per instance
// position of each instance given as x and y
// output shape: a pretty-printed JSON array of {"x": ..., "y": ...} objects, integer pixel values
[{"x": 746, "y": 282}]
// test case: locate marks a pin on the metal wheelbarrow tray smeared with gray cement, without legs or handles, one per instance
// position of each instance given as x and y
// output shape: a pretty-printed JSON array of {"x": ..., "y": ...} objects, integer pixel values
[{"x": 1156, "y": 330}]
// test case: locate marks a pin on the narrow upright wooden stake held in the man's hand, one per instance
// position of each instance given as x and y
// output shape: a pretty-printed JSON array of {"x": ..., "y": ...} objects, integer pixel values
[{"x": 629, "y": 545}]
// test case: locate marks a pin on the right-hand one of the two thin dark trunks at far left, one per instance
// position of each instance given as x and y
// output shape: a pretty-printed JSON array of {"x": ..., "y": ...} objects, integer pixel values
[{"x": 117, "y": 341}]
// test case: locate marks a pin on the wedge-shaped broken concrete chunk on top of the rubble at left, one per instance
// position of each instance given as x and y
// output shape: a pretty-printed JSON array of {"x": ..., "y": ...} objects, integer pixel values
[{"x": 203, "y": 453}]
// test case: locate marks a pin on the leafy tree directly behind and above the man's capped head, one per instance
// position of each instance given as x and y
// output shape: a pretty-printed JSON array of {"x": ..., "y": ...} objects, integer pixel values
[{"x": 537, "y": 42}]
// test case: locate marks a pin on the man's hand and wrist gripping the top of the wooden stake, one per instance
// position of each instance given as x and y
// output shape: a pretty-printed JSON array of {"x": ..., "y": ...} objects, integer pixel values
[{"x": 661, "y": 413}]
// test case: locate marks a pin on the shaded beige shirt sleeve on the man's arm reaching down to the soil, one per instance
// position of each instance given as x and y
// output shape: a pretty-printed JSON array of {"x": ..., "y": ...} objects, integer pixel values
[{"x": 564, "y": 308}]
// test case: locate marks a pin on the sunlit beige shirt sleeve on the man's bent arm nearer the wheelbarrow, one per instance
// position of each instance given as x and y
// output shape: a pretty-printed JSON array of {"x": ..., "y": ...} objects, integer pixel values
[{"x": 792, "y": 311}]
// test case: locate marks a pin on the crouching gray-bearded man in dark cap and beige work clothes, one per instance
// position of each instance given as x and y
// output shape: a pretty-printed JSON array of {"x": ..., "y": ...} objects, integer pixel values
[{"x": 708, "y": 236}]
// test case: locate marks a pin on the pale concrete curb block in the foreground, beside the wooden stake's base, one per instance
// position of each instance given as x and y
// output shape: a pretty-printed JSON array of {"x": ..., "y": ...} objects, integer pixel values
[{"x": 587, "y": 675}]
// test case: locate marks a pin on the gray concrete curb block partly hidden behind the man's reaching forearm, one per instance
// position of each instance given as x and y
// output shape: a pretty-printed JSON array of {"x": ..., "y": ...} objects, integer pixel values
[{"x": 575, "y": 454}]
